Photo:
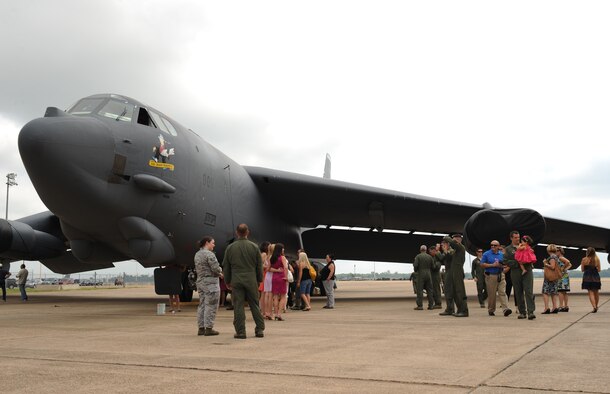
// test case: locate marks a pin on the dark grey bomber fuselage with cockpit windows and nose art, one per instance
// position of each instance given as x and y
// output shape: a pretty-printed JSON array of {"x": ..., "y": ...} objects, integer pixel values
[{"x": 127, "y": 182}]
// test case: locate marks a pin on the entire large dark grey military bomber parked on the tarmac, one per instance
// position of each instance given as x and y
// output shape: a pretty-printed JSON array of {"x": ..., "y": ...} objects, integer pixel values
[{"x": 124, "y": 181}]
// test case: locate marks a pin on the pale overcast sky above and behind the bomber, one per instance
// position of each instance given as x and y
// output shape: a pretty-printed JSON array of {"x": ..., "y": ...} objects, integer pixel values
[{"x": 474, "y": 101}]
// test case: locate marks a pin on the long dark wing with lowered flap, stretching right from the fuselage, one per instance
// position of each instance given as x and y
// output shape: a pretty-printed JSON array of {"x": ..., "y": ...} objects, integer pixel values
[{"x": 309, "y": 202}]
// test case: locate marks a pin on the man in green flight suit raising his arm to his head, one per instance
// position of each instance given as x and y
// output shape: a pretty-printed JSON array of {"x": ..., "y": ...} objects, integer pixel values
[{"x": 455, "y": 277}]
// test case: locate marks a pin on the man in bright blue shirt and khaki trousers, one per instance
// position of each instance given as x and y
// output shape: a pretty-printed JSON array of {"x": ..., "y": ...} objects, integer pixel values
[{"x": 494, "y": 279}]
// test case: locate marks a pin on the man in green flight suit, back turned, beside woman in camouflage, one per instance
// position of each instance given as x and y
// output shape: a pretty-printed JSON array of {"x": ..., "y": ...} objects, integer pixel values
[{"x": 243, "y": 271}]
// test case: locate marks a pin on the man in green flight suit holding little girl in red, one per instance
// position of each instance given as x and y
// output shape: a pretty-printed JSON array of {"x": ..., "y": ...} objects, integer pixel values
[{"x": 523, "y": 284}]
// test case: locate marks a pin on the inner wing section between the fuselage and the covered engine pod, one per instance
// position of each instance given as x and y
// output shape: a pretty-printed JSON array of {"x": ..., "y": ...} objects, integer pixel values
[{"x": 310, "y": 201}]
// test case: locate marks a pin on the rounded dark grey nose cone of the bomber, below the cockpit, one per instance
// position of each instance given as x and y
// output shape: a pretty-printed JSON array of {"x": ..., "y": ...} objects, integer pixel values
[{"x": 60, "y": 152}]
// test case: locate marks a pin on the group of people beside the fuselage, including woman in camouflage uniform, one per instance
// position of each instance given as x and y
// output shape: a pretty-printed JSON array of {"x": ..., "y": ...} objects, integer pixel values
[{"x": 260, "y": 276}]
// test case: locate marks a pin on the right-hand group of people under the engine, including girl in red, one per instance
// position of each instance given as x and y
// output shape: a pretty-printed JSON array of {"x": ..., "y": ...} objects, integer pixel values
[{"x": 496, "y": 271}]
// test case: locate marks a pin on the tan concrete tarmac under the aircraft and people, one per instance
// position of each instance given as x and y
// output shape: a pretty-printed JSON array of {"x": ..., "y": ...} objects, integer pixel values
[{"x": 112, "y": 340}]
